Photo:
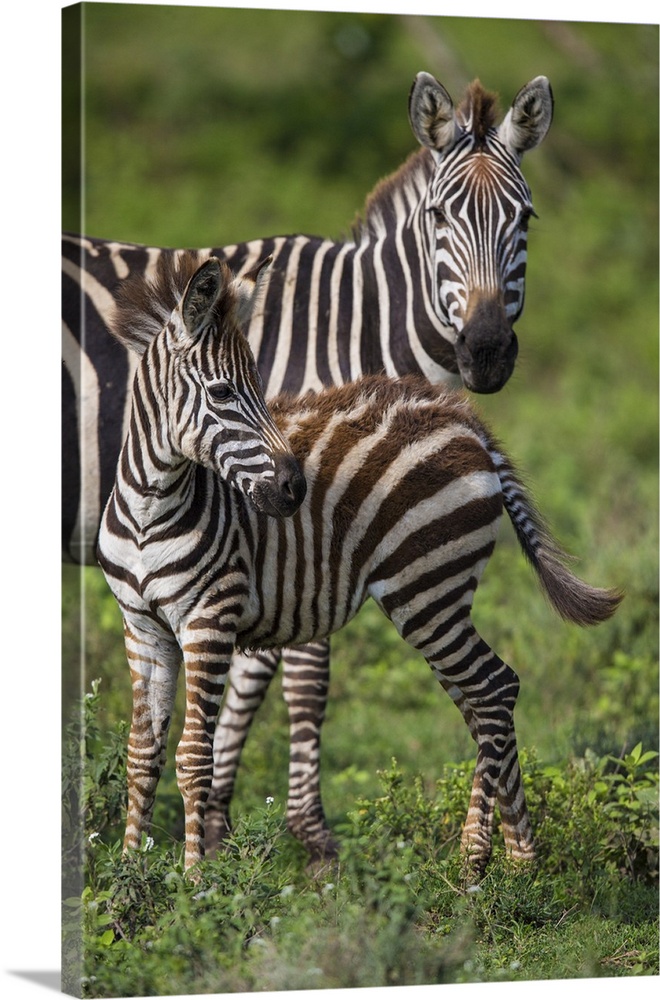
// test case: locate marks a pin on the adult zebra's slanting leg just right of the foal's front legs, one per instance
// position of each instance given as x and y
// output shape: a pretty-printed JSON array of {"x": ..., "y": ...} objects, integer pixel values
[{"x": 249, "y": 678}]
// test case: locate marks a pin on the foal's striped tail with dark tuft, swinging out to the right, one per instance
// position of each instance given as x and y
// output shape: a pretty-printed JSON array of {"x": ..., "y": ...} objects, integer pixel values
[{"x": 573, "y": 599}]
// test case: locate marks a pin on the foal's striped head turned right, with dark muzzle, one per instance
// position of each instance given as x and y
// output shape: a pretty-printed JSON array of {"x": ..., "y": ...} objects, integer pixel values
[{"x": 217, "y": 412}]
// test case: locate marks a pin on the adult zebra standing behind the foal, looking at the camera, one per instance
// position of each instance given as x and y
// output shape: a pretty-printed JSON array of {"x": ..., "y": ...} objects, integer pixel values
[{"x": 431, "y": 282}]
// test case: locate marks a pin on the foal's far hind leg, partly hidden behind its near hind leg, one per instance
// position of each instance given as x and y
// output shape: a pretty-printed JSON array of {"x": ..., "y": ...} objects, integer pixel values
[{"x": 516, "y": 824}]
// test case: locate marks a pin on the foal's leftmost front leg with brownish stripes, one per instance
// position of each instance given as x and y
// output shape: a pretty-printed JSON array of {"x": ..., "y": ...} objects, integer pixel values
[{"x": 154, "y": 662}]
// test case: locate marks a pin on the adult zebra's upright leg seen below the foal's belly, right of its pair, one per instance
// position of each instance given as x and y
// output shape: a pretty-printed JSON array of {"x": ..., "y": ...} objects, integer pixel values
[{"x": 306, "y": 675}]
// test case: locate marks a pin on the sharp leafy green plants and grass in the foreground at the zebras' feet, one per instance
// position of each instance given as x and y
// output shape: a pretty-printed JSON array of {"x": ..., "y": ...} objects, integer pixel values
[{"x": 395, "y": 910}]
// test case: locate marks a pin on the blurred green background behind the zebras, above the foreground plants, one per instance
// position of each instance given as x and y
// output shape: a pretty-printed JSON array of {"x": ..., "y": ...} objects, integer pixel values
[{"x": 205, "y": 126}]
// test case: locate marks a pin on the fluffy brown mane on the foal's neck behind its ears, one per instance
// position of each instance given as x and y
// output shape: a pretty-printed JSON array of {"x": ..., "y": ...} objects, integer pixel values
[{"x": 145, "y": 303}]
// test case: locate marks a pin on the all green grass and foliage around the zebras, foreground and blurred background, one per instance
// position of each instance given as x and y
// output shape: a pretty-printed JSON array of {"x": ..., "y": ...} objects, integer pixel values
[{"x": 206, "y": 126}]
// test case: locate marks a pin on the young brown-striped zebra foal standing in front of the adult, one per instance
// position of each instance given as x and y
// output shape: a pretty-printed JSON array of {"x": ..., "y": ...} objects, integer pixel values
[{"x": 405, "y": 491}]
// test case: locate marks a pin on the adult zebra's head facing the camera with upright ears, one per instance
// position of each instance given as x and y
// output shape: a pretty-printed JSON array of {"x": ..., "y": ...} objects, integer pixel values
[{"x": 475, "y": 216}]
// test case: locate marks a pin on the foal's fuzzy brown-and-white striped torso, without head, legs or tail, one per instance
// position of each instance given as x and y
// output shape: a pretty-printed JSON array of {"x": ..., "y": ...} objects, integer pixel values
[{"x": 406, "y": 485}]
